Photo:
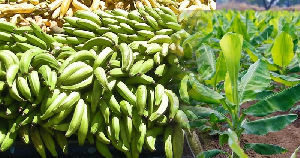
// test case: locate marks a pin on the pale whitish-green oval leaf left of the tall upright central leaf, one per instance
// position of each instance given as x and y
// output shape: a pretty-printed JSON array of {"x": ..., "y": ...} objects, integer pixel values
[{"x": 206, "y": 62}]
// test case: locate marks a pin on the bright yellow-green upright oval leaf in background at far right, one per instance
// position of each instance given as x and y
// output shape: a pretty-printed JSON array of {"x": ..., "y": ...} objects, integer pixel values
[{"x": 282, "y": 50}]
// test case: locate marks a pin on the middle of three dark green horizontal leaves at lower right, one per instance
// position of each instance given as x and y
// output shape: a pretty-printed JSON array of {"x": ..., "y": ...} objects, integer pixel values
[{"x": 266, "y": 125}]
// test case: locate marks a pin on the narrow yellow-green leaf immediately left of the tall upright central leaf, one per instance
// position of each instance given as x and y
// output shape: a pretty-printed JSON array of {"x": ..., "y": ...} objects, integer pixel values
[{"x": 220, "y": 71}]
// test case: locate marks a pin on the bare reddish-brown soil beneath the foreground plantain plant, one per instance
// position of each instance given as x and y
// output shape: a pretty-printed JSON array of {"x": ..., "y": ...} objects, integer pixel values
[{"x": 288, "y": 138}]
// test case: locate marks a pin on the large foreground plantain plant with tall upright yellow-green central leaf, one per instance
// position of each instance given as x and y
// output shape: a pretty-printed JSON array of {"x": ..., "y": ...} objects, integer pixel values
[{"x": 238, "y": 88}]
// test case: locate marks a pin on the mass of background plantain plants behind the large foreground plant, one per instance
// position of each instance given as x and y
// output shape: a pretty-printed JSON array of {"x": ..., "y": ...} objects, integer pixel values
[{"x": 266, "y": 35}]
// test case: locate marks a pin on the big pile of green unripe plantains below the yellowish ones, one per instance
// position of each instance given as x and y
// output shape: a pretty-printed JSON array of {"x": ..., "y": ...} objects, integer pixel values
[{"x": 103, "y": 79}]
